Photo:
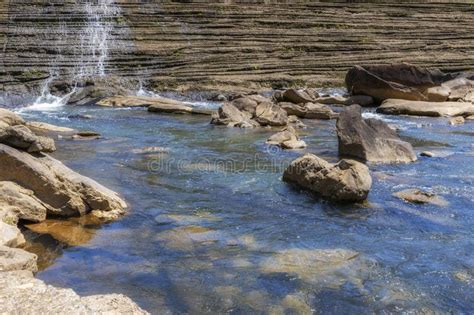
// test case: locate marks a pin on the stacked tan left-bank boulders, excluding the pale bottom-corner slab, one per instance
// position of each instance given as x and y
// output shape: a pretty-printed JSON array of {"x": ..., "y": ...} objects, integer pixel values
[{"x": 34, "y": 186}]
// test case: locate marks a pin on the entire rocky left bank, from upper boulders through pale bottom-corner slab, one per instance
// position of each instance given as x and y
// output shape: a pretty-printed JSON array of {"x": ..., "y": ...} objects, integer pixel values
[{"x": 33, "y": 187}]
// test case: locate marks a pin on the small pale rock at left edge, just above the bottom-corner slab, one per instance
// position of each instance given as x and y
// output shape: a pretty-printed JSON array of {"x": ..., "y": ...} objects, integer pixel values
[{"x": 16, "y": 259}]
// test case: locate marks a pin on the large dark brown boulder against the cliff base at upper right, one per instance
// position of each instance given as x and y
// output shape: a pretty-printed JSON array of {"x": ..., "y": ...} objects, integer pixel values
[{"x": 401, "y": 81}]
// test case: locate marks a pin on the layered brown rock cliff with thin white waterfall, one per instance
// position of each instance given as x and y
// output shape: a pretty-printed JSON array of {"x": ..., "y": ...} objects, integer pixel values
[{"x": 193, "y": 44}]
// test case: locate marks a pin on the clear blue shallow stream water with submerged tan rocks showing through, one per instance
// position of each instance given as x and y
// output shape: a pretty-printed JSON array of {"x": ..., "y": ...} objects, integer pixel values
[{"x": 213, "y": 229}]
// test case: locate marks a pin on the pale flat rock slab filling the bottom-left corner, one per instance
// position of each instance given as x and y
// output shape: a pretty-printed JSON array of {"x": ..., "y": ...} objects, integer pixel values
[{"x": 21, "y": 293}]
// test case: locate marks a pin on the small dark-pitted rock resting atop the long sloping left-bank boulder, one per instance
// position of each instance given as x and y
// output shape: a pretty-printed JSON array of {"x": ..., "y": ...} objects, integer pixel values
[{"x": 21, "y": 137}]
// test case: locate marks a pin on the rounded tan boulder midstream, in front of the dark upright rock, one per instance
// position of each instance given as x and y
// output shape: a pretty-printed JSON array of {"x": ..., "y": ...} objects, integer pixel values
[{"x": 346, "y": 181}]
